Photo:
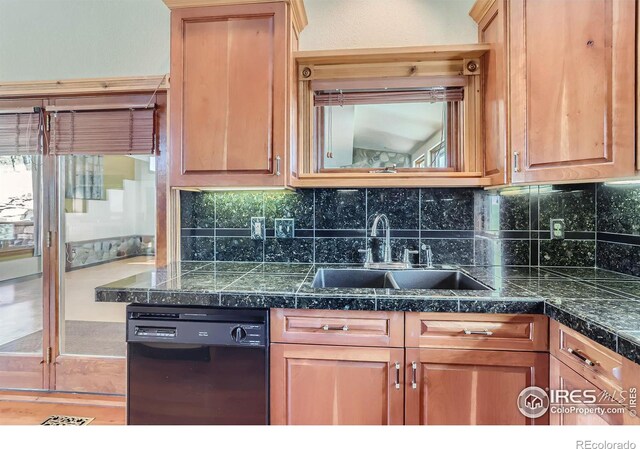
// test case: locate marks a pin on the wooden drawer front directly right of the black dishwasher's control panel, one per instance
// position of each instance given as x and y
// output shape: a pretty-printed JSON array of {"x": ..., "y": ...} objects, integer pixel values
[{"x": 337, "y": 327}]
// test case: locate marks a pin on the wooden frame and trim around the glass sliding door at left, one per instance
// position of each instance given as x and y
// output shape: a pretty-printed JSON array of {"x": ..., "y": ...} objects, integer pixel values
[{"x": 50, "y": 361}]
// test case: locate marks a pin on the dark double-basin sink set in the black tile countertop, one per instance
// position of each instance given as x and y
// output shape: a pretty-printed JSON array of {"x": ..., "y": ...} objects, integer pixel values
[{"x": 398, "y": 280}]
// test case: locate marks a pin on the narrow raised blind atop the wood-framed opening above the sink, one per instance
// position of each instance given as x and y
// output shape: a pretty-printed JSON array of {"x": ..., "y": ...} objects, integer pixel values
[{"x": 337, "y": 98}]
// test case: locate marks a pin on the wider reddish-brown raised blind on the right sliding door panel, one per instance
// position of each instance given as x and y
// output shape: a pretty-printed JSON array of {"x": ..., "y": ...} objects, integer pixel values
[{"x": 106, "y": 130}]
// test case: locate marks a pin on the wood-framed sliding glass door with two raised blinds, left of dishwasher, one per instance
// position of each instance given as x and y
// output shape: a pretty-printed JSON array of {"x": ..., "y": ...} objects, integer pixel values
[{"x": 77, "y": 210}]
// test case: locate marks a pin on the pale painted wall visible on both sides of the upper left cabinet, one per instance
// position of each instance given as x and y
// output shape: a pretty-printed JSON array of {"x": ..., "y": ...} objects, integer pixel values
[{"x": 61, "y": 39}]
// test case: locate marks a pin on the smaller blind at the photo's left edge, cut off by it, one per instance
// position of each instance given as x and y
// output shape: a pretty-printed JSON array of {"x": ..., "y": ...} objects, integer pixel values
[{"x": 19, "y": 131}]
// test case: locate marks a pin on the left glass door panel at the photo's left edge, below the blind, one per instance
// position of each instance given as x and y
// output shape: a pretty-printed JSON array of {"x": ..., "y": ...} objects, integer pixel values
[{"x": 21, "y": 271}]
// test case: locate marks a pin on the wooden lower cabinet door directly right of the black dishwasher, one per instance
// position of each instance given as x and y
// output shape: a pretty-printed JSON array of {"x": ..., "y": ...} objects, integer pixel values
[{"x": 336, "y": 385}]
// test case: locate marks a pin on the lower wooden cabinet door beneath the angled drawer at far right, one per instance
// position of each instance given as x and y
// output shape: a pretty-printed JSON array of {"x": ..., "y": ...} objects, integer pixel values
[{"x": 564, "y": 378}]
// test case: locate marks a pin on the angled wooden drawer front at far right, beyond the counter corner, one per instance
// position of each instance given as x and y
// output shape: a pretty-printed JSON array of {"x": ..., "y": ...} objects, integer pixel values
[{"x": 594, "y": 362}]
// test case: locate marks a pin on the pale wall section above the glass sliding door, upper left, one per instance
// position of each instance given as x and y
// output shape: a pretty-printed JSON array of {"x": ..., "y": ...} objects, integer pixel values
[{"x": 58, "y": 39}]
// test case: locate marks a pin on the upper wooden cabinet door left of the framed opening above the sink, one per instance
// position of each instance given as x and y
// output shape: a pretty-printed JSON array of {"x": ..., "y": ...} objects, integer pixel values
[{"x": 228, "y": 95}]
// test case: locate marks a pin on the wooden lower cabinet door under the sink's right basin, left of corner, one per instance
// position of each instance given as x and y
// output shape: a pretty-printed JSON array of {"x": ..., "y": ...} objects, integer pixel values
[{"x": 465, "y": 387}]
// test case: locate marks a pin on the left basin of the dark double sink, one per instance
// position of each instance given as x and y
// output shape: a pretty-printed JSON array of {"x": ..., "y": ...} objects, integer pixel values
[{"x": 346, "y": 278}]
